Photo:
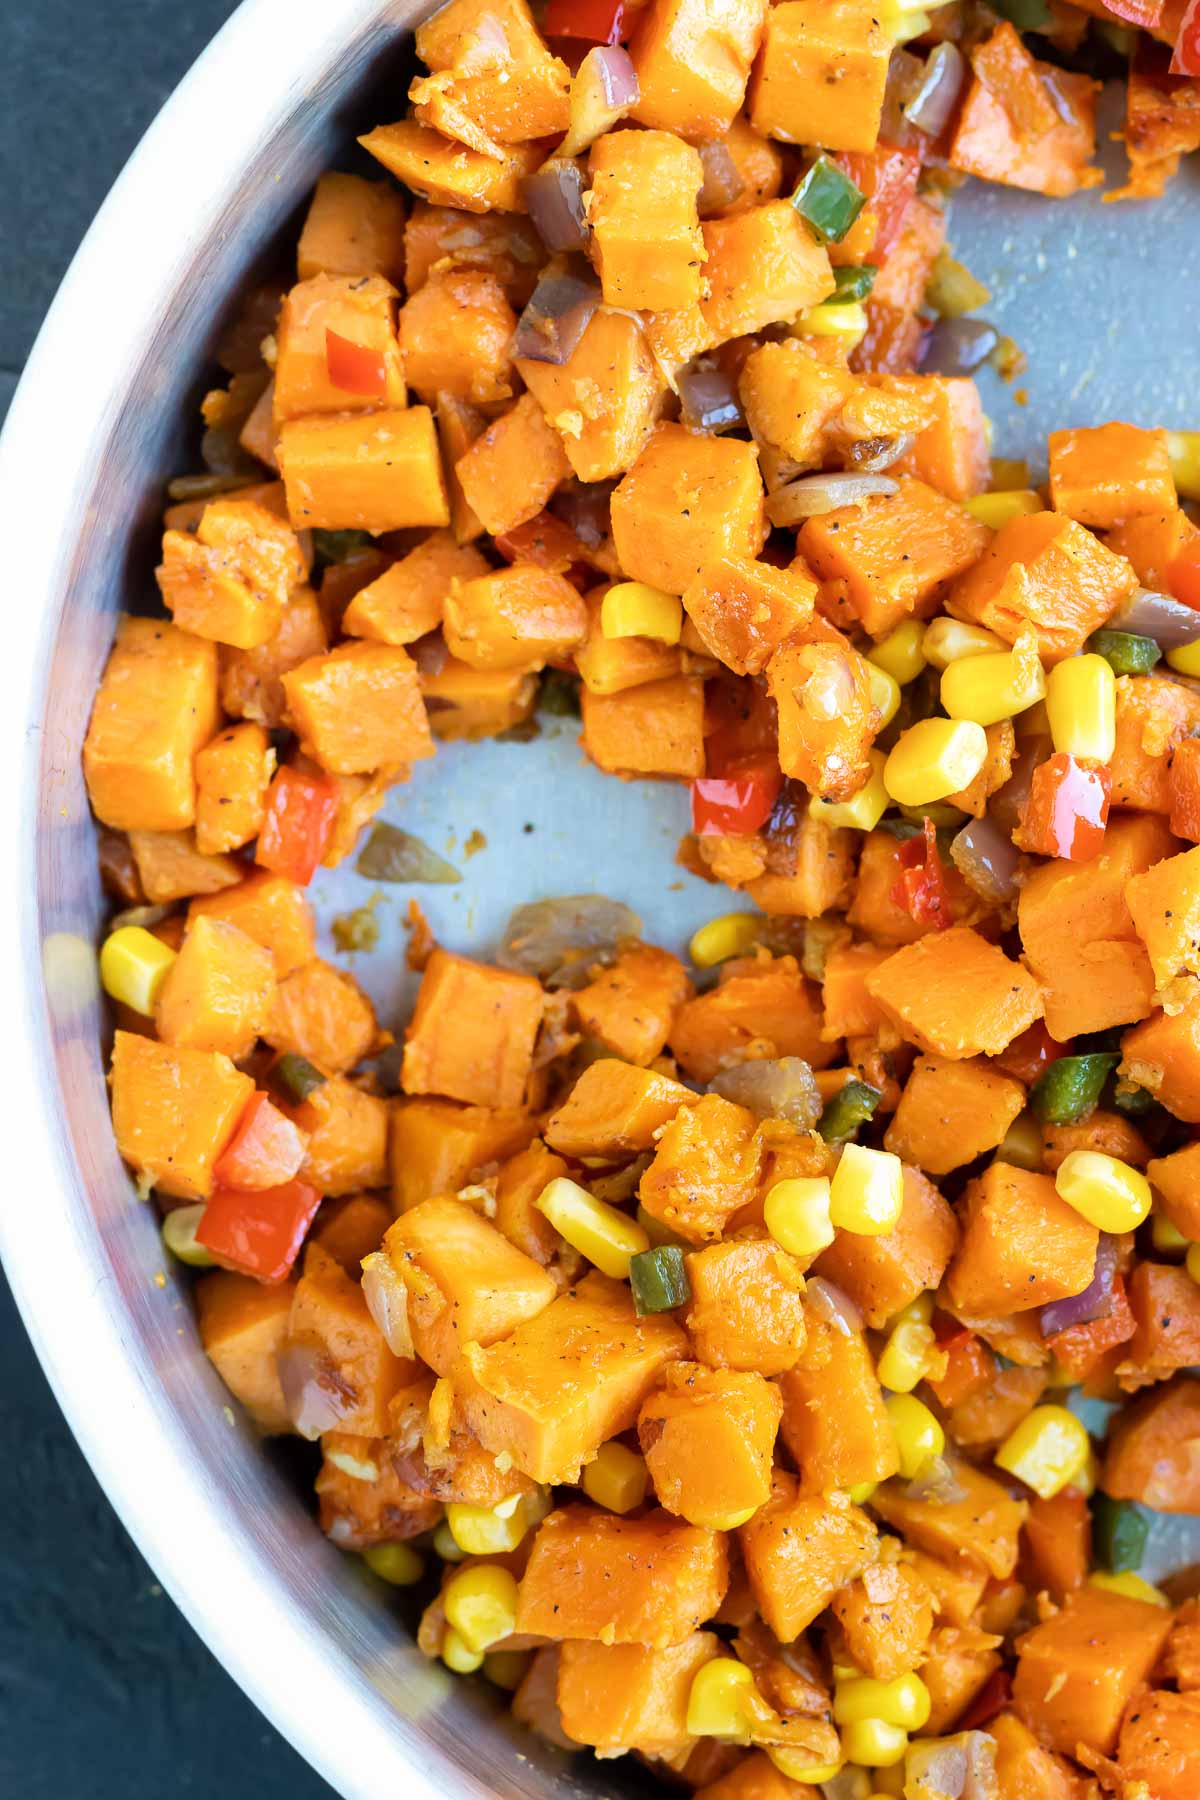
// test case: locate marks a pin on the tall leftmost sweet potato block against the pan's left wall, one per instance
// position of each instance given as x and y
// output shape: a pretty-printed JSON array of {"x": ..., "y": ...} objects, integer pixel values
[{"x": 154, "y": 710}]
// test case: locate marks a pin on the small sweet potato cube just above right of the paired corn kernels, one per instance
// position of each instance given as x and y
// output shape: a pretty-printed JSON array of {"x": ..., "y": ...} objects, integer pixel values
[{"x": 951, "y": 1113}]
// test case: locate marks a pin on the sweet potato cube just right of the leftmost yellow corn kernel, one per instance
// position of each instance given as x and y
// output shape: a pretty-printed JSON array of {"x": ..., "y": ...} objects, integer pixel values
[{"x": 219, "y": 991}]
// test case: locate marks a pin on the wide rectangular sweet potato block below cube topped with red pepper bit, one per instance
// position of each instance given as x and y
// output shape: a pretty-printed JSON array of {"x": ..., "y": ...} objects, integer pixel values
[{"x": 364, "y": 472}]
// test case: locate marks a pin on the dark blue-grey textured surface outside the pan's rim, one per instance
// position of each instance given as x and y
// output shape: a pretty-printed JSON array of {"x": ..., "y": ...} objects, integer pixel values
[{"x": 105, "y": 1691}]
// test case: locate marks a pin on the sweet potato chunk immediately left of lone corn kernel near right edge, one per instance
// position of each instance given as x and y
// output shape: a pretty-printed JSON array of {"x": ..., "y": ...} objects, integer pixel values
[{"x": 1023, "y": 1246}]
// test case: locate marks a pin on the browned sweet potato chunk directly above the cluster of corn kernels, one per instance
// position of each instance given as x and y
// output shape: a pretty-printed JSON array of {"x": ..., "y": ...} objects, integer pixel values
[{"x": 1050, "y": 573}]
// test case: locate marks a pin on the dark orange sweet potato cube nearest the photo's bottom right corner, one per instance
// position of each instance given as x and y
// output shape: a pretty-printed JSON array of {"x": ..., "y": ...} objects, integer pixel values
[{"x": 1106, "y": 1646}]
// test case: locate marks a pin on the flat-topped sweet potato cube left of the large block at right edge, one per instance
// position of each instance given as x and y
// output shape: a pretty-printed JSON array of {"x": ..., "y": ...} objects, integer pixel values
[{"x": 956, "y": 996}]
